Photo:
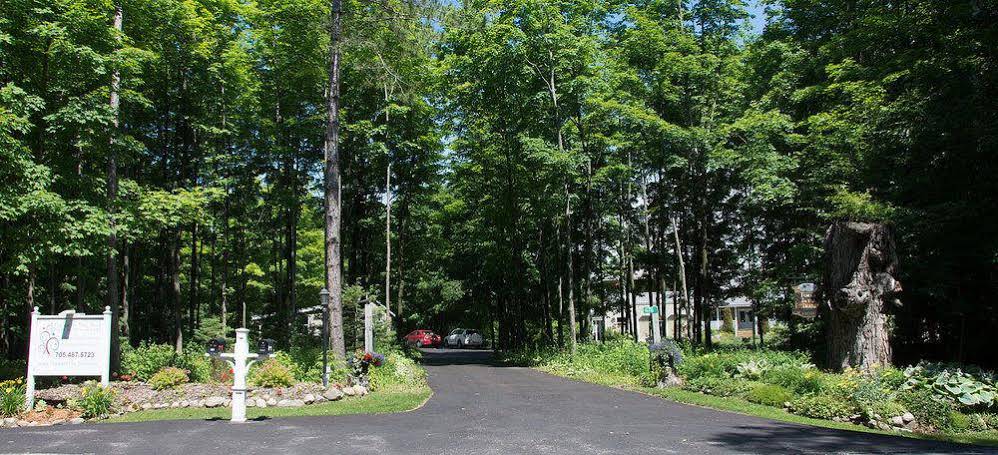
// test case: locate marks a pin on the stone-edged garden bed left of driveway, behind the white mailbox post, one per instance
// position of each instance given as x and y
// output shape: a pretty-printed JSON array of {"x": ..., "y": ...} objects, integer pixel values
[{"x": 159, "y": 379}]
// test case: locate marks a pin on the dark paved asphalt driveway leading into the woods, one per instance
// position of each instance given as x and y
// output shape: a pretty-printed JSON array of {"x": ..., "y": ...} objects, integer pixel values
[{"x": 478, "y": 408}]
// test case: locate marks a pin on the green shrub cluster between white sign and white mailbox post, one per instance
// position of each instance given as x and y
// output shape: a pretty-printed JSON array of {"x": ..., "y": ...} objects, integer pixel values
[{"x": 147, "y": 359}]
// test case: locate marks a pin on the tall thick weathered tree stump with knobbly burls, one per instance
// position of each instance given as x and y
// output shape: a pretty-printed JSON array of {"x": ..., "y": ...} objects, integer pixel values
[{"x": 859, "y": 289}]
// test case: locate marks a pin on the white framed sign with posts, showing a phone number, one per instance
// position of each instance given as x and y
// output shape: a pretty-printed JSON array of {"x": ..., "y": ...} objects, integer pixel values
[{"x": 68, "y": 344}]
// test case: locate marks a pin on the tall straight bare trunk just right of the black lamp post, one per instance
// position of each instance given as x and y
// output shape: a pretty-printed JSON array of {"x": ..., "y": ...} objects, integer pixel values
[{"x": 334, "y": 273}]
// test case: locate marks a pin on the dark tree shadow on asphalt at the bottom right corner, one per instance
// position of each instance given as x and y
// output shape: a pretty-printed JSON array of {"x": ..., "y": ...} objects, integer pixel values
[{"x": 793, "y": 439}]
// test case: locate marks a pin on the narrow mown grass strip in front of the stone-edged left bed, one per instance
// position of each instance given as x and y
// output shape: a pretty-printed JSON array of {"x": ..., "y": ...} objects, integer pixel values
[{"x": 378, "y": 402}]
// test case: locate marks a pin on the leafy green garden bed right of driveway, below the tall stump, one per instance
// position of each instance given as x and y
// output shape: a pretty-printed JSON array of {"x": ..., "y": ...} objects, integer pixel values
[{"x": 930, "y": 400}]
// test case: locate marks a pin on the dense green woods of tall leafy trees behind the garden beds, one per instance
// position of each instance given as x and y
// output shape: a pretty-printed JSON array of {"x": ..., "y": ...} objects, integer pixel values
[{"x": 170, "y": 158}]
